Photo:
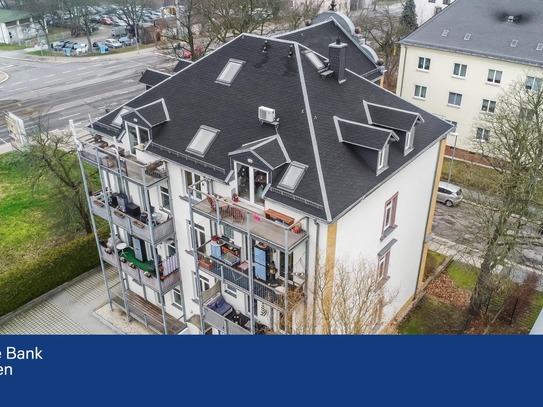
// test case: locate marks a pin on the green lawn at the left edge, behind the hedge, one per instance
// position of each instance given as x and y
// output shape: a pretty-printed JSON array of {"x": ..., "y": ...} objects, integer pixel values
[{"x": 28, "y": 217}]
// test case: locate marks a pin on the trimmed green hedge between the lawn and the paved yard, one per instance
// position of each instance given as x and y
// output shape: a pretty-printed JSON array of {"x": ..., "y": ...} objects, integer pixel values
[{"x": 54, "y": 268}]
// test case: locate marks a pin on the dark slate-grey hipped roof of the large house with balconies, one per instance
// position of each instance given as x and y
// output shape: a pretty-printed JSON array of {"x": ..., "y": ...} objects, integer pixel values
[{"x": 336, "y": 178}]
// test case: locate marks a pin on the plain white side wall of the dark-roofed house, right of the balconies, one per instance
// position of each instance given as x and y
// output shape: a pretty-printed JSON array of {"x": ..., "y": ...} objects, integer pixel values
[{"x": 359, "y": 231}]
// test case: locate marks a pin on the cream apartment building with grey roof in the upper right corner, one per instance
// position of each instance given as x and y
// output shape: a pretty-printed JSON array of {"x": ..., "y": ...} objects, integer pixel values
[{"x": 457, "y": 63}]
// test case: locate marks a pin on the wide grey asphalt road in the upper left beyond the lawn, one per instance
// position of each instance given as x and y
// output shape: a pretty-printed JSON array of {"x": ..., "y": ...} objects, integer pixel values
[{"x": 61, "y": 88}]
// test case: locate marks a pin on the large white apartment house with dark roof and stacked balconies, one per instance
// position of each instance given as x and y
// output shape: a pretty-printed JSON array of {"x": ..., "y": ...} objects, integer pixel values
[{"x": 228, "y": 183}]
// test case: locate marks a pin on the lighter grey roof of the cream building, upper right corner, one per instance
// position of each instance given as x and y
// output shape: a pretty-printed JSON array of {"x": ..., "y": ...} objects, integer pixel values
[{"x": 491, "y": 34}]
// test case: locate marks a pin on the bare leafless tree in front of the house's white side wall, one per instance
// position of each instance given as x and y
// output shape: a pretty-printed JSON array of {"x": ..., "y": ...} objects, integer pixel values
[{"x": 347, "y": 297}]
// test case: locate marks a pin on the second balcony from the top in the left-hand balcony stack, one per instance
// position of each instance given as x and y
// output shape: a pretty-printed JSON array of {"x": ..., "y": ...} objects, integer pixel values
[{"x": 159, "y": 230}]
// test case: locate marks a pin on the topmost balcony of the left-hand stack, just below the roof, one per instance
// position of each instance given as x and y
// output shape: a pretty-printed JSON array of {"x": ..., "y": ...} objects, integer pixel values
[{"x": 113, "y": 159}]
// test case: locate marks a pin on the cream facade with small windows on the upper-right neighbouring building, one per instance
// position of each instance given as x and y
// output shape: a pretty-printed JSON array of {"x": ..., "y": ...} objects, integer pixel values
[{"x": 471, "y": 82}]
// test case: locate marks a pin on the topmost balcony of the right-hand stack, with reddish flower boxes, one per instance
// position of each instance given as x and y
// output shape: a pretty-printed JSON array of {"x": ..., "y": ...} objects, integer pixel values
[{"x": 224, "y": 210}]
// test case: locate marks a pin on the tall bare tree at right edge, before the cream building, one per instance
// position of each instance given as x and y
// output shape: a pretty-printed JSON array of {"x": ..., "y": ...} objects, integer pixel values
[{"x": 510, "y": 138}]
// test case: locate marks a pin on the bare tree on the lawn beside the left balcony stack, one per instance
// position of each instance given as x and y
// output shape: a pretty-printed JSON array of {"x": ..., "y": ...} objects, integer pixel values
[{"x": 52, "y": 156}]
